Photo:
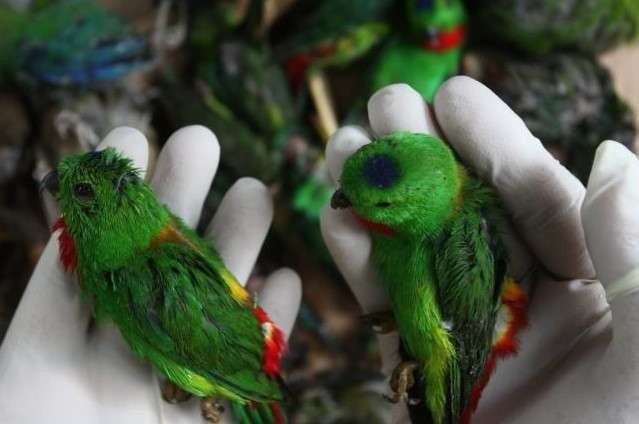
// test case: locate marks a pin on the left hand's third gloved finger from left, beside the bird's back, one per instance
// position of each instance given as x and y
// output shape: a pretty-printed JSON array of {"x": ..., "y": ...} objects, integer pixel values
[{"x": 241, "y": 224}]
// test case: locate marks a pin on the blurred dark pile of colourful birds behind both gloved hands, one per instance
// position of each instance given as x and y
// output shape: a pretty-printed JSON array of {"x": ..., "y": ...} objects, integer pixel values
[{"x": 273, "y": 79}]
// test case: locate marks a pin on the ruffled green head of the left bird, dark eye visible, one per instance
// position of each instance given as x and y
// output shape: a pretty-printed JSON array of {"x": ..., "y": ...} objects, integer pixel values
[{"x": 108, "y": 211}]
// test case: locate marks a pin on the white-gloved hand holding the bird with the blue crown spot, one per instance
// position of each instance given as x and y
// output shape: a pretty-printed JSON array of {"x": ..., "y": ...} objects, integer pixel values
[{"x": 568, "y": 369}]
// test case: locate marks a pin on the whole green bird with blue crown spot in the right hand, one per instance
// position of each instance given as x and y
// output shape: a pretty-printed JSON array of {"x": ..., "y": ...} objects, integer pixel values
[{"x": 439, "y": 253}]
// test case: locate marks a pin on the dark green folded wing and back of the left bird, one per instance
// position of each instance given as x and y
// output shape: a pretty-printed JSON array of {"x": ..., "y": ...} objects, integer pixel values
[{"x": 173, "y": 307}]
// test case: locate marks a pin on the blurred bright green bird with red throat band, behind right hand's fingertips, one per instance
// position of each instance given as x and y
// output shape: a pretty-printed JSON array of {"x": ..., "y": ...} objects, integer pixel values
[{"x": 430, "y": 52}]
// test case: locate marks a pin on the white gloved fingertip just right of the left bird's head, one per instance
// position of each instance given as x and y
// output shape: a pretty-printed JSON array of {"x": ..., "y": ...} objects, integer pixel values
[{"x": 184, "y": 171}]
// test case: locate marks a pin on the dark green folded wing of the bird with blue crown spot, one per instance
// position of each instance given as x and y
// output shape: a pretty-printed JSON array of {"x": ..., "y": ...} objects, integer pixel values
[{"x": 470, "y": 267}]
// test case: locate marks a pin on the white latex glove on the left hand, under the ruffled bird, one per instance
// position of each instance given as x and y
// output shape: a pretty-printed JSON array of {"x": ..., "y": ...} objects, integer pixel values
[{"x": 55, "y": 369}]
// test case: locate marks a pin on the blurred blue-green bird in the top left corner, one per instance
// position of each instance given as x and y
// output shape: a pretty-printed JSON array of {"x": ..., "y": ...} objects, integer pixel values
[{"x": 70, "y": 43}]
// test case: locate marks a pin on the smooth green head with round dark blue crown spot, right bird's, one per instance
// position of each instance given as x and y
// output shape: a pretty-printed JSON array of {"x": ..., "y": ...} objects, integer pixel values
[{"x": 404, "y": 183}]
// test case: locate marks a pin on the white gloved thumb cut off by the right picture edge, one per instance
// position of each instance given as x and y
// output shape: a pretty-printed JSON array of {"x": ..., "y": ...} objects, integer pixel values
[{"x": 609, "y": 212}]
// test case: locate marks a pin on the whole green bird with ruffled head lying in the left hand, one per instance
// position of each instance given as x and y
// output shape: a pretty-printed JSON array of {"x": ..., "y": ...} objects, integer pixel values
[{"x": 166, "y": 289}]
